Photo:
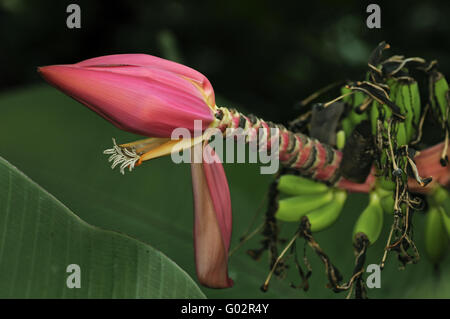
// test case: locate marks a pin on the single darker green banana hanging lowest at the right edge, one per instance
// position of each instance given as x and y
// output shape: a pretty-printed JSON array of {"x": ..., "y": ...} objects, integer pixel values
[{"x": 436, "y": 237}]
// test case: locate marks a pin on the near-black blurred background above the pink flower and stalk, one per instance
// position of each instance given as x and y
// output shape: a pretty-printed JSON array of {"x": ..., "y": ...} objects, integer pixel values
[{"x": 262, "y": 56}]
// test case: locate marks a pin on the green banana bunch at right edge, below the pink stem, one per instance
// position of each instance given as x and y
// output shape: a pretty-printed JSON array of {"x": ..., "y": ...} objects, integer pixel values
[{"x": 437, "y": 224}]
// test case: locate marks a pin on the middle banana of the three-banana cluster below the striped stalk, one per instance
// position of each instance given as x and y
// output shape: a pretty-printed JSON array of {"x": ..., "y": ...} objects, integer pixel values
[{"x": 292, "y": 209}]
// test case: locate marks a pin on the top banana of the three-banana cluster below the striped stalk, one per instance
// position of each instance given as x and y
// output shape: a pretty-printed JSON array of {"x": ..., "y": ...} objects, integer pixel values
[{"x": 297, "y": 185}]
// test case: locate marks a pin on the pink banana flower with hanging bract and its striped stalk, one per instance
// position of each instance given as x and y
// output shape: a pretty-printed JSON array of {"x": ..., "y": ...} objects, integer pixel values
[{"x": 151, "y": 96}]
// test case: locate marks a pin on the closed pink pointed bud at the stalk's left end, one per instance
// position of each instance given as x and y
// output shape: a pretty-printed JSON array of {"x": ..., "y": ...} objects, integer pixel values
[{"x": 138, "y": 93}]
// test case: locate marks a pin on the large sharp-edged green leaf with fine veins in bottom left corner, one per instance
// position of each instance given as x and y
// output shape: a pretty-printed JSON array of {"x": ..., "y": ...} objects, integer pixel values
[{"x": 40, "y": 238}]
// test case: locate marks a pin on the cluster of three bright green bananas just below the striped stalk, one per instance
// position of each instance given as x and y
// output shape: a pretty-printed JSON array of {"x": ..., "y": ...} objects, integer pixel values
[{"x": 304, "y": 197}]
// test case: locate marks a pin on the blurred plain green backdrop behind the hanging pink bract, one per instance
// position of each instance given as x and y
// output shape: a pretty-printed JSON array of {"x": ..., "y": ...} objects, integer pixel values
[{"x": 59, "y": 143}]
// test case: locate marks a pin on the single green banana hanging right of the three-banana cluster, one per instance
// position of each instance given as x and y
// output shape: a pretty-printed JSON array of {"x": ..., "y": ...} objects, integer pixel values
[{"x": 370, "y": 222}]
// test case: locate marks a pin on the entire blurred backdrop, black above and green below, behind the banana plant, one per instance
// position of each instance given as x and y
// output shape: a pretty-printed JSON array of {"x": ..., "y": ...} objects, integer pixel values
[{"x": 262, "y": 56}]
